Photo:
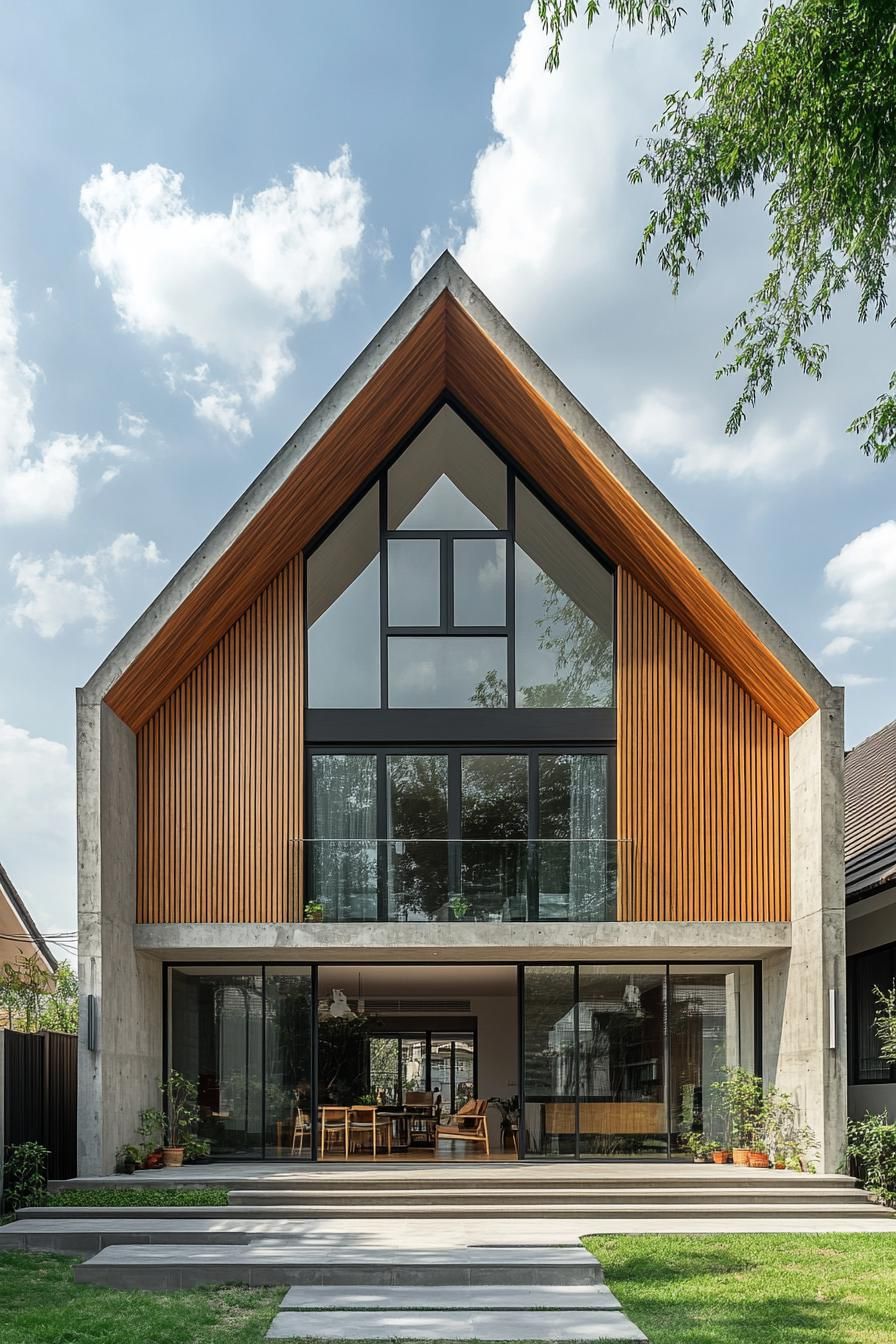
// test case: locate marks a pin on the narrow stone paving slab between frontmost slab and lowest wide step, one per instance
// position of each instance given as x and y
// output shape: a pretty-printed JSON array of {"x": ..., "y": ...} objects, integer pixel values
[{"x": 498, "y": 1298}]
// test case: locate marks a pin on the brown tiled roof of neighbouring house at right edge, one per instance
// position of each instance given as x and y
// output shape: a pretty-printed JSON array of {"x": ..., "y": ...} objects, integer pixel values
[{"x": 871, "y": 814}]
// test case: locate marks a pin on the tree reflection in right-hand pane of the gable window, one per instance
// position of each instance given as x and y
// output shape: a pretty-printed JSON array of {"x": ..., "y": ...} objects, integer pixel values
[{"x": 582, "y": 655}]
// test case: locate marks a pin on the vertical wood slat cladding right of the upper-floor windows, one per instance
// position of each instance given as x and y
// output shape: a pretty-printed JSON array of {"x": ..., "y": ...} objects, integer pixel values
[{"x": 702, "y": 790}]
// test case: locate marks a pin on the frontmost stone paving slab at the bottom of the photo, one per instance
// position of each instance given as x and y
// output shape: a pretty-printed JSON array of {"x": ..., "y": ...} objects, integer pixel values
[{"x": 455, "y": 1326}]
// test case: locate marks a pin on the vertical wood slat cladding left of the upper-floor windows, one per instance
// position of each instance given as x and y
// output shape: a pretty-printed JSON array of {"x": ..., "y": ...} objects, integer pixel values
[{"x": 220, "y": 775}]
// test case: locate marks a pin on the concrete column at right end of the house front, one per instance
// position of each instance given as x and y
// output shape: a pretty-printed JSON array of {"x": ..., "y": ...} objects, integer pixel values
[{"x": 803, "y": 1054}]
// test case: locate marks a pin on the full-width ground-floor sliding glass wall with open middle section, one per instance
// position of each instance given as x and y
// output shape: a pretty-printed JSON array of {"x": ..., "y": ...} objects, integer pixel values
[{"x": 611, "y": 1061}]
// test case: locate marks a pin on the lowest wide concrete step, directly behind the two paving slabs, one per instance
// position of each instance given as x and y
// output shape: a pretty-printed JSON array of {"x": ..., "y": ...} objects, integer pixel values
[{"x": 169, "y": 1268}]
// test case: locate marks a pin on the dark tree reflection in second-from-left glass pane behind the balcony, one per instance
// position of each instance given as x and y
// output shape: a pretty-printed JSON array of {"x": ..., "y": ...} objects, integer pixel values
[{"x": 418, "y": 807}]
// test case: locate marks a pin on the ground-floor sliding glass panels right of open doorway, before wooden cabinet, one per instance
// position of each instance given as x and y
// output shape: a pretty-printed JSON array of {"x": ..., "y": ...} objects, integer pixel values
[{"x": 619, "y": 1061}]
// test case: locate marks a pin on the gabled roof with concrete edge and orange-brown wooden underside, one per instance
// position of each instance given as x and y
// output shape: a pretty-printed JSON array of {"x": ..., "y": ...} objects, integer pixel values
[{"x": 448, "y": 342}]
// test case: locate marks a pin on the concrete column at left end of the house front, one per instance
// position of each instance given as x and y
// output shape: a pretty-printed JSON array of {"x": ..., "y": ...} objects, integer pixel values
[{"x": 118, "y": 1080}]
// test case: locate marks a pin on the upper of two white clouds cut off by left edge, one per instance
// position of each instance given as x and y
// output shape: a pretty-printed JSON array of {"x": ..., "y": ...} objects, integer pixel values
[{"x": 37, "y": 480}]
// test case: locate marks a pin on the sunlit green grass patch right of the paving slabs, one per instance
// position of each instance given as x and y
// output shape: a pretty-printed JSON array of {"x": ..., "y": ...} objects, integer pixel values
[{"x": 756, "y": 1288}]
